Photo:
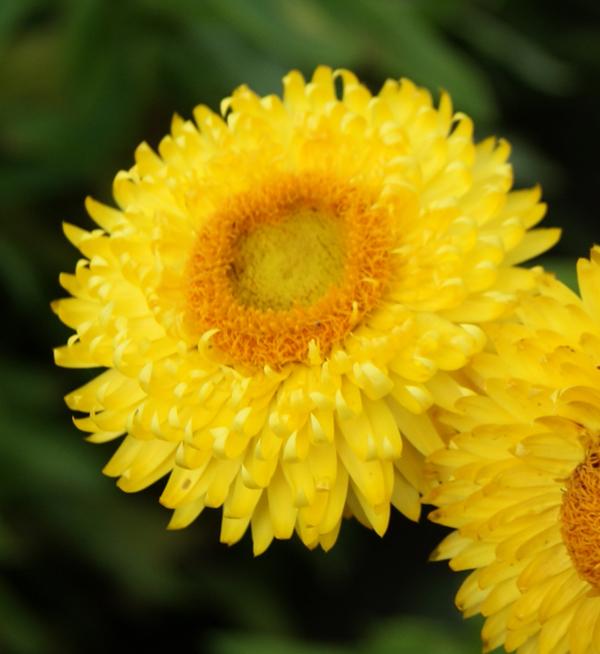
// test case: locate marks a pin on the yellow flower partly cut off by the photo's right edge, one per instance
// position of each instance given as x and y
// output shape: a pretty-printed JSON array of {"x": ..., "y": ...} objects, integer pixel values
[{"x": 520, "y": 483}]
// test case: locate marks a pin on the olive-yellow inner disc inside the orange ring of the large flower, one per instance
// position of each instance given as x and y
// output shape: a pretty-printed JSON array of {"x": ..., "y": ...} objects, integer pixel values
[{"x": 292, "y": 262}]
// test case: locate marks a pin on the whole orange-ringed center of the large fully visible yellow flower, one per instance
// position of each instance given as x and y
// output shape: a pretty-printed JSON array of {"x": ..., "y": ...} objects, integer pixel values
[{"x": 288, "y": 268}]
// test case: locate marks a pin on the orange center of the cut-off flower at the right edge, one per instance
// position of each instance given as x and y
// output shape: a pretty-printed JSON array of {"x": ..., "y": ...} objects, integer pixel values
[{"x": 580, "y": 517}]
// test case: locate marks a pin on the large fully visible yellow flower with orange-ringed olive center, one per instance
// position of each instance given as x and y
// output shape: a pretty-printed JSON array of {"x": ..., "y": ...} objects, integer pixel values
[{"x": 279, "y": 295}]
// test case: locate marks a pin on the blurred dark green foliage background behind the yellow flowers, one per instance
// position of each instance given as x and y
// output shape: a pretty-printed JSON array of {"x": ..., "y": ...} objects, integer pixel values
[{"x": 86, "y": 568}]
